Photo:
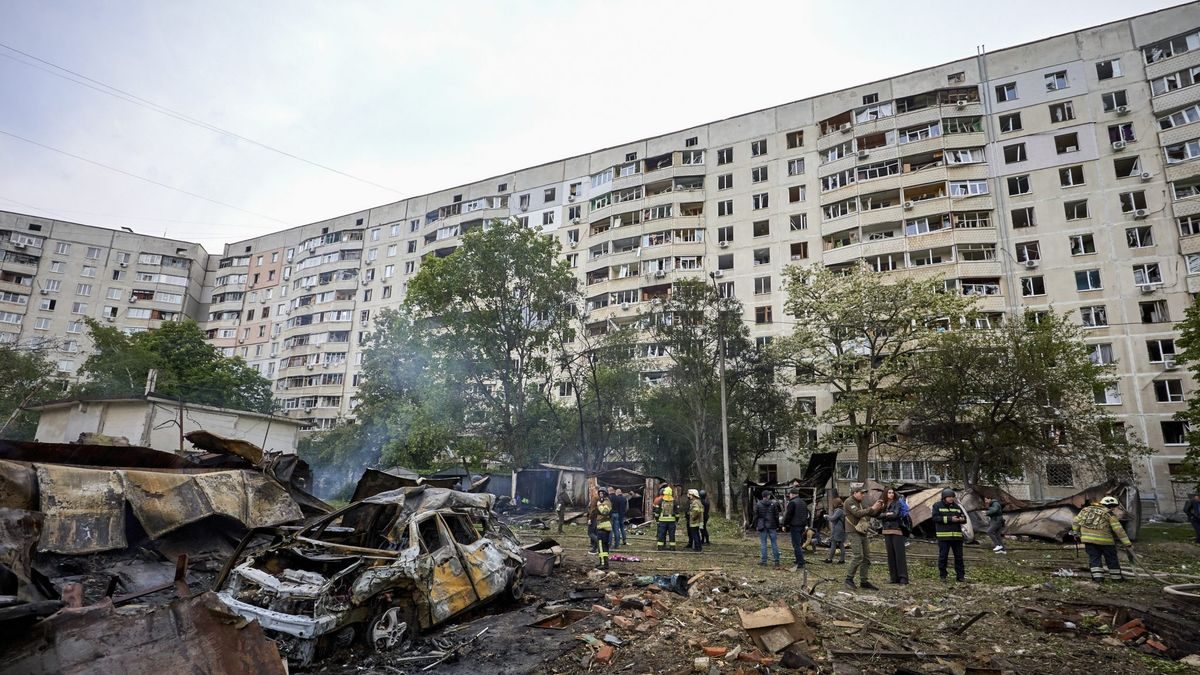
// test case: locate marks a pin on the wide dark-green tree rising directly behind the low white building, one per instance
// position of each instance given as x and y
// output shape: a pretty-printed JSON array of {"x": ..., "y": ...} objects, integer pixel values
[{"x": 189, "y": 368}]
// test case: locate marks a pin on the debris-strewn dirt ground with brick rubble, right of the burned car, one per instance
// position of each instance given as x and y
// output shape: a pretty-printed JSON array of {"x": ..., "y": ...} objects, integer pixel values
[{"x": 1022, "y": 594}]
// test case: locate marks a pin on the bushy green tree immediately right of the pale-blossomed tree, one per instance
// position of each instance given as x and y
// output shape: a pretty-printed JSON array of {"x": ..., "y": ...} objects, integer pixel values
[{"x": 997, "y": 403}]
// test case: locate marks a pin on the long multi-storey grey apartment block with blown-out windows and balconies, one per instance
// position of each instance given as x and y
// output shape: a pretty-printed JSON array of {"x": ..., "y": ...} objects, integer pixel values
[{"x": 1058, "y": 174}]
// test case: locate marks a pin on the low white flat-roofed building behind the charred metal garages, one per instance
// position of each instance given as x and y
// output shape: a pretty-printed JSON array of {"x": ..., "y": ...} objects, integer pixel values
[{"x": 160, "y": 423}]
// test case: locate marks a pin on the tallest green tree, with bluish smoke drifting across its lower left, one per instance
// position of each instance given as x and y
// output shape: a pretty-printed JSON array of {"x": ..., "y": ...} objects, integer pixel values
[{"x": 483, "y": 321}]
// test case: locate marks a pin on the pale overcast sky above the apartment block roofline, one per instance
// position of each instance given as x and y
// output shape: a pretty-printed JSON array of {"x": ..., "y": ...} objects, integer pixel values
[{"x": 418, "y": 97}]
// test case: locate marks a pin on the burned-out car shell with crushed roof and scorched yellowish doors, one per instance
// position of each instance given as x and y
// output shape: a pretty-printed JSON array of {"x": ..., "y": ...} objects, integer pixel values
[{"x": 377, "y": 571}]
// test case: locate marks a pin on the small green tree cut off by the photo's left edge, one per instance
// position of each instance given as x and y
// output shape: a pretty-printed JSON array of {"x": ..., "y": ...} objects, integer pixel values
[{"x": 27, "y": 379}]
